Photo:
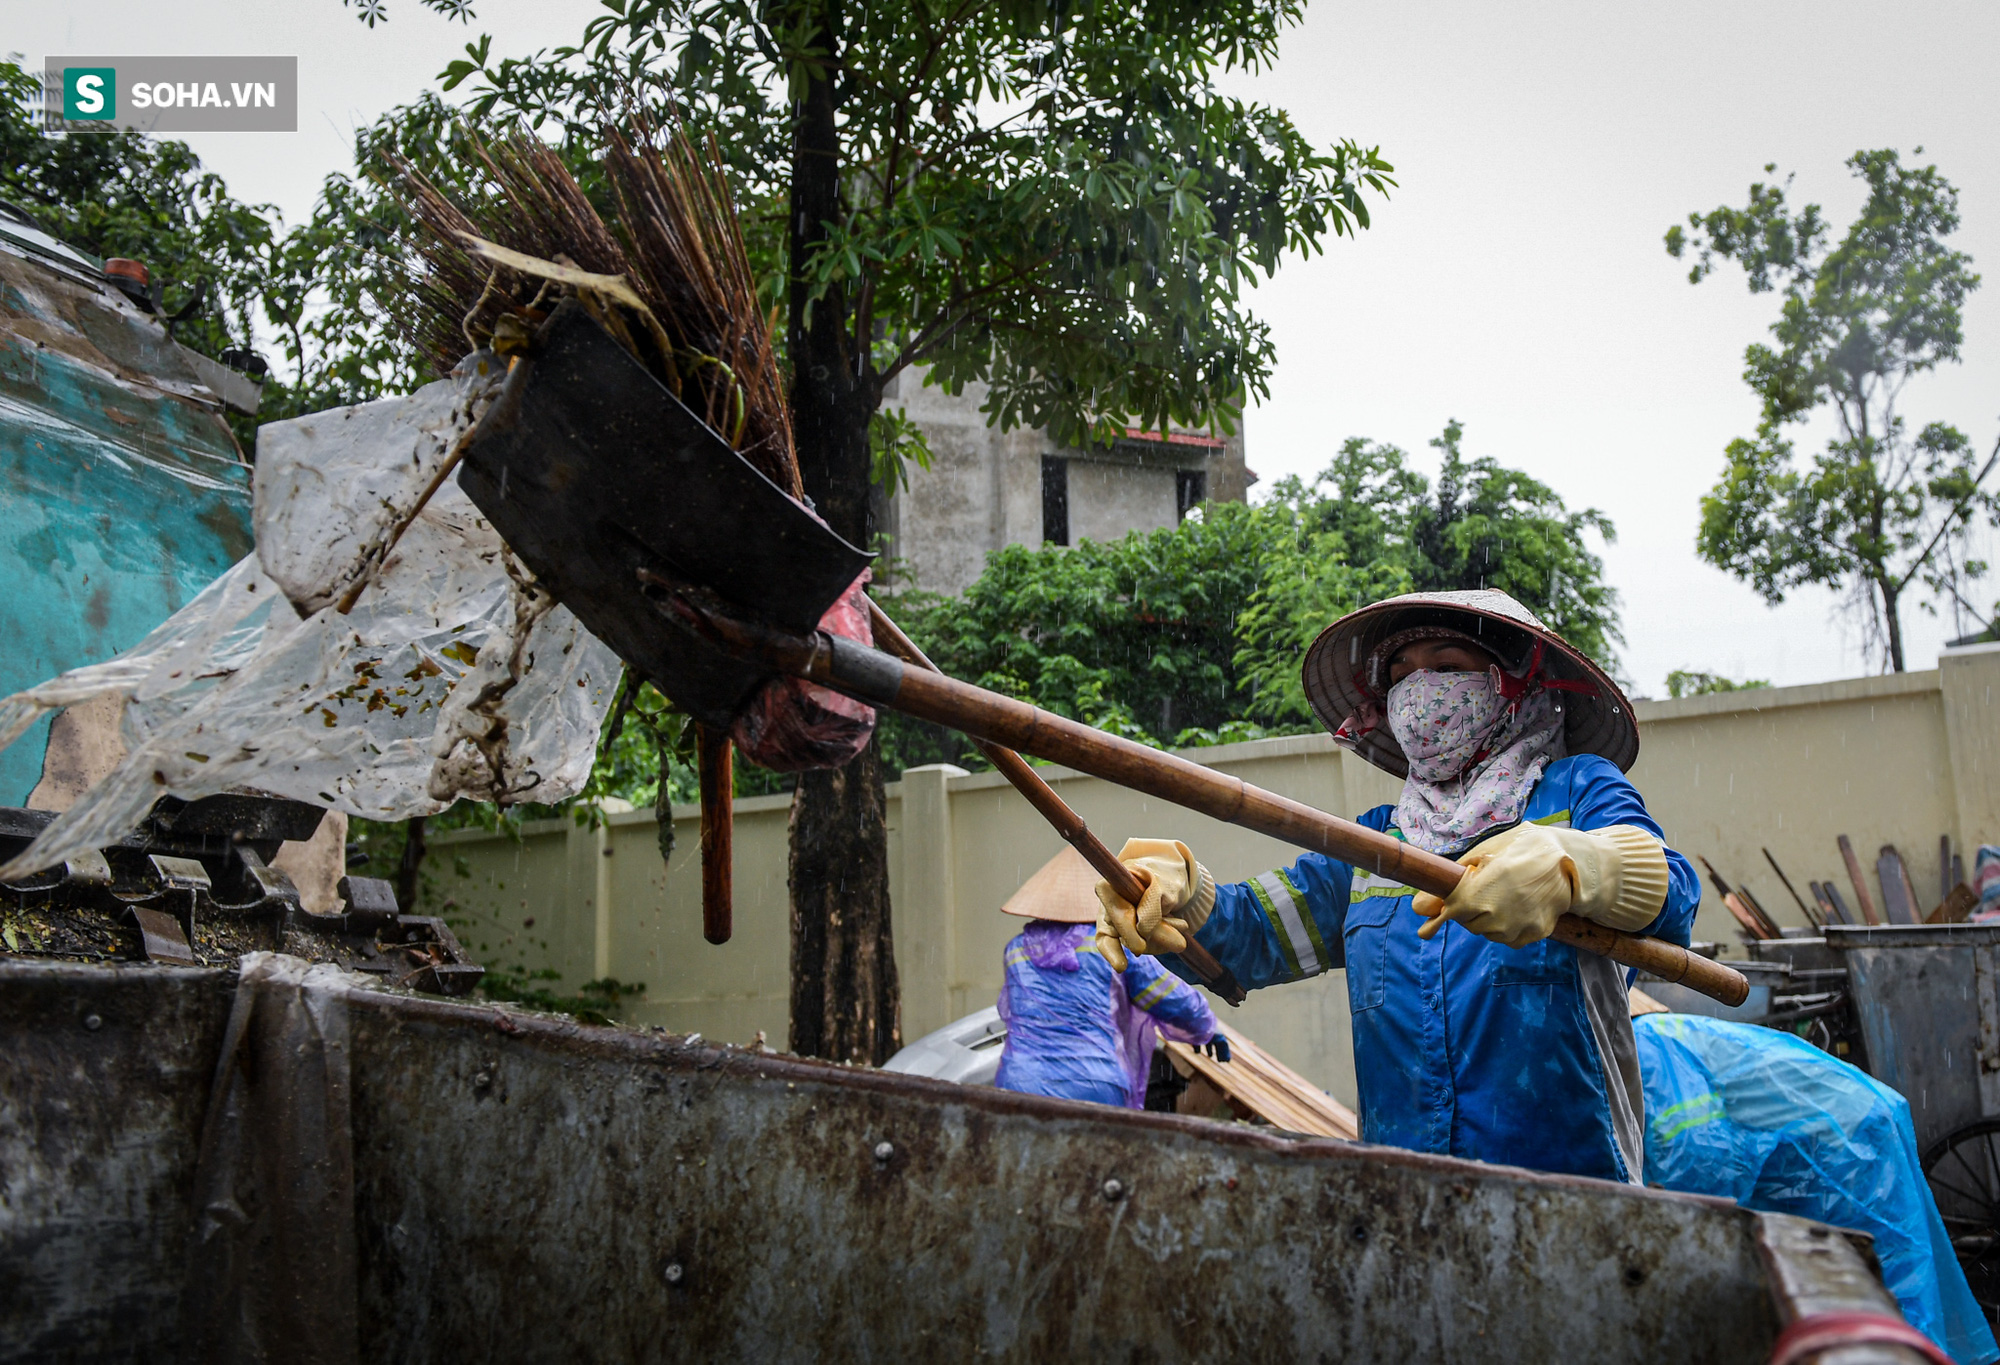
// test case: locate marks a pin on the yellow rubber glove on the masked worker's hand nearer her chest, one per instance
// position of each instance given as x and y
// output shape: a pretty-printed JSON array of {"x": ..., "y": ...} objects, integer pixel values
[{"x": 1521, "y": 882}]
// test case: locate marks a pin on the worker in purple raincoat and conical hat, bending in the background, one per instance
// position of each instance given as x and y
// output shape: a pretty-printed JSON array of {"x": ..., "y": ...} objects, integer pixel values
[{"x": 1075, "y": 1028}]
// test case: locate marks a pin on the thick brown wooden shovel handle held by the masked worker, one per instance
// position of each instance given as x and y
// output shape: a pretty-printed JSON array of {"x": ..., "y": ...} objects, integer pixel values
[{"x": 887, "y": 681}]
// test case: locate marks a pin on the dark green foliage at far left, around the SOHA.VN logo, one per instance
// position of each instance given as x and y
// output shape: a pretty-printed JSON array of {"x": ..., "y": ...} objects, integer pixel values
[{"x": 149, "y": 199}]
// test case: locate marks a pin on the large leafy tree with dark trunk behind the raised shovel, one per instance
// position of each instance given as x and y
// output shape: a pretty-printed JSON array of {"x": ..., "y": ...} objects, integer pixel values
[{"x": 1045, "y": 197}]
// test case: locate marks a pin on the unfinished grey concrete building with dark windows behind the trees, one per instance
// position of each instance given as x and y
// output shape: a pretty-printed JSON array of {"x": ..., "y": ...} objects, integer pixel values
[{"x": 989, "y": 489}]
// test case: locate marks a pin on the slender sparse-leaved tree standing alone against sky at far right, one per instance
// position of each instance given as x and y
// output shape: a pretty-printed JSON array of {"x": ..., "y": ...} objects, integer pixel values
[{"x": 1879, "y": 509}]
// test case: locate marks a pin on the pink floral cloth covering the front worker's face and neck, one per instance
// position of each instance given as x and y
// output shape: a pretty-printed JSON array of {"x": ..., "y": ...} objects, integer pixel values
[{"x": 1475, "y": 756}]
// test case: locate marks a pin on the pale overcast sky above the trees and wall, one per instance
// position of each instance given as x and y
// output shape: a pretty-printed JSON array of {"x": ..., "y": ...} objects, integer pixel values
[{"x": 1515, "y": 281}]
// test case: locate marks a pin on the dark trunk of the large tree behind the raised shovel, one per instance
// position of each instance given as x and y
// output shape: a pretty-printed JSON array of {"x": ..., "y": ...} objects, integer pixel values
[{"x": 845, "y": 1000}]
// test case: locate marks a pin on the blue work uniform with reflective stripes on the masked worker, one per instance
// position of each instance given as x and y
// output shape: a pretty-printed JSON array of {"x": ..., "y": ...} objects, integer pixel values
[{"x": 1461, "y": 1044}]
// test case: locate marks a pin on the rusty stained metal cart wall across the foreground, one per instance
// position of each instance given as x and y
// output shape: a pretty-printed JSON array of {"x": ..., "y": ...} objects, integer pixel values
[{"x": 445, "y": 1182}]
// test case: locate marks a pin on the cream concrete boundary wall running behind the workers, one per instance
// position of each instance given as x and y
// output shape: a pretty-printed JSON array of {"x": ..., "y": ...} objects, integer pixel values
[{"x": 1899, "y": 760}]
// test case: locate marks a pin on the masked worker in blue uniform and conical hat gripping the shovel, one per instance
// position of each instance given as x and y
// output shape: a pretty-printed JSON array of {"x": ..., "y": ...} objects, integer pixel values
[{"x": 1475, "y": 1034}]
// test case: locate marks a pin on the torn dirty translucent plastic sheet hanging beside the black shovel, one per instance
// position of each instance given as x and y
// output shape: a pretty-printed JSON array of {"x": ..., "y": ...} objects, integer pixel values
[{"x": 453, "y": 677}]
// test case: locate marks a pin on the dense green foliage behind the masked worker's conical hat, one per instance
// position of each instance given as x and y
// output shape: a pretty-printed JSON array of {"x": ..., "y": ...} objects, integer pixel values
[{"x": 1195, "y": 635}]
